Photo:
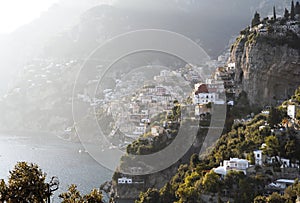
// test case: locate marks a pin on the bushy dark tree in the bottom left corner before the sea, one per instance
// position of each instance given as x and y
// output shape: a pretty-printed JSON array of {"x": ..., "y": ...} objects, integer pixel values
[{"x": 26, "y": 183}]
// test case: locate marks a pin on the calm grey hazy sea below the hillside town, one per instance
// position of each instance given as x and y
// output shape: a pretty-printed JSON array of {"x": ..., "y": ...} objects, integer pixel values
[{"x": 55, "y": 156}]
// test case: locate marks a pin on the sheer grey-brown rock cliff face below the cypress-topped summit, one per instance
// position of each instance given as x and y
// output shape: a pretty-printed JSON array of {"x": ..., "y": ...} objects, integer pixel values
[{"x": 267, "y": 64}]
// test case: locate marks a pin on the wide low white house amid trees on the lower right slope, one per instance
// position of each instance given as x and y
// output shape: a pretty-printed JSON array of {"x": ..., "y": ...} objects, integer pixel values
[{"x": 233, "y": 164}]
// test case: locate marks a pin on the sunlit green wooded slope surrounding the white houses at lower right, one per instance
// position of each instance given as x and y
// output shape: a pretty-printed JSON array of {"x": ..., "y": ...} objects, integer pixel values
[{"x": 195, "y": 180}]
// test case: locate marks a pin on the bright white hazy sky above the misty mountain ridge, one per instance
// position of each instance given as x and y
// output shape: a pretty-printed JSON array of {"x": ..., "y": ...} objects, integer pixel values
[{"x": 14, "y": 13}]
